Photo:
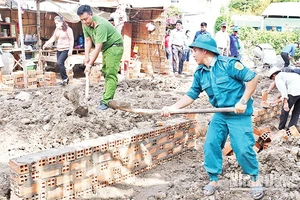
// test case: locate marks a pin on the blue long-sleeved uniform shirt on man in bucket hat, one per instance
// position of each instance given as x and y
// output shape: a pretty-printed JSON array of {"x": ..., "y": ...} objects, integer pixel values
[{"x": 223, "y": 82}]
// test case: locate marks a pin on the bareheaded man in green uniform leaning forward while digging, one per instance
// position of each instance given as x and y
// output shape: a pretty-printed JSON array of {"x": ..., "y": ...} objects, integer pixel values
[{"x": 107, "y": 39}]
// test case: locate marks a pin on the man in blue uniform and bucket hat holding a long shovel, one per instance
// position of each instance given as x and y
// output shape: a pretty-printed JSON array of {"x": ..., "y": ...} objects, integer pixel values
[{"x": 228, "y": 83}]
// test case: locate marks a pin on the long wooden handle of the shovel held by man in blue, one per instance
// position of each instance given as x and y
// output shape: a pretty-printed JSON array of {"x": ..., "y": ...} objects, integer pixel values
[{"x": 182, "y": 111}]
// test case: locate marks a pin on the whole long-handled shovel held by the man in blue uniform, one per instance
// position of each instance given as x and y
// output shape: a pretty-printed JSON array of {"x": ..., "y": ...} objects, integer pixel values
[{"x": 126, "y": 107}]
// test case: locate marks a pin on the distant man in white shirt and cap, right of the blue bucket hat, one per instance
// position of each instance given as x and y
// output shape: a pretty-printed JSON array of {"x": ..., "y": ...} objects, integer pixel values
[{"x": 223, "y": 40}]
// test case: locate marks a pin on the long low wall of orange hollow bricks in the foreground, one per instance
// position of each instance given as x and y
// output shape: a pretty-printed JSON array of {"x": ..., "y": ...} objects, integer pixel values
[{"x": 76, "y": 171}]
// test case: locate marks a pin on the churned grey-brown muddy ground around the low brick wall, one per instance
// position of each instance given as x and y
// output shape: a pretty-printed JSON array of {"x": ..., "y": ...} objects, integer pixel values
[{"x": 38, "y": 119}]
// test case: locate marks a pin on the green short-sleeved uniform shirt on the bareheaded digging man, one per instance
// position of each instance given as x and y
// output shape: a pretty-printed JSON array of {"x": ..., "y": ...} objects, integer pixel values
[{"x": 103, "y": 33}]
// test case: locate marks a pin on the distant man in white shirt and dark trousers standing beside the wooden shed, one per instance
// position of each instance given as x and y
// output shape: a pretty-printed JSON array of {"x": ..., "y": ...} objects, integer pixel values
[{"x": 177, "y": 41}]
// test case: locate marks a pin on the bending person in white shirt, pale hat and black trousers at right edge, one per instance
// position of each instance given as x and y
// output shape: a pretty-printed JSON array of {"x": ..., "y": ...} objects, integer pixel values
[{"x": 288, "y": 86}]
